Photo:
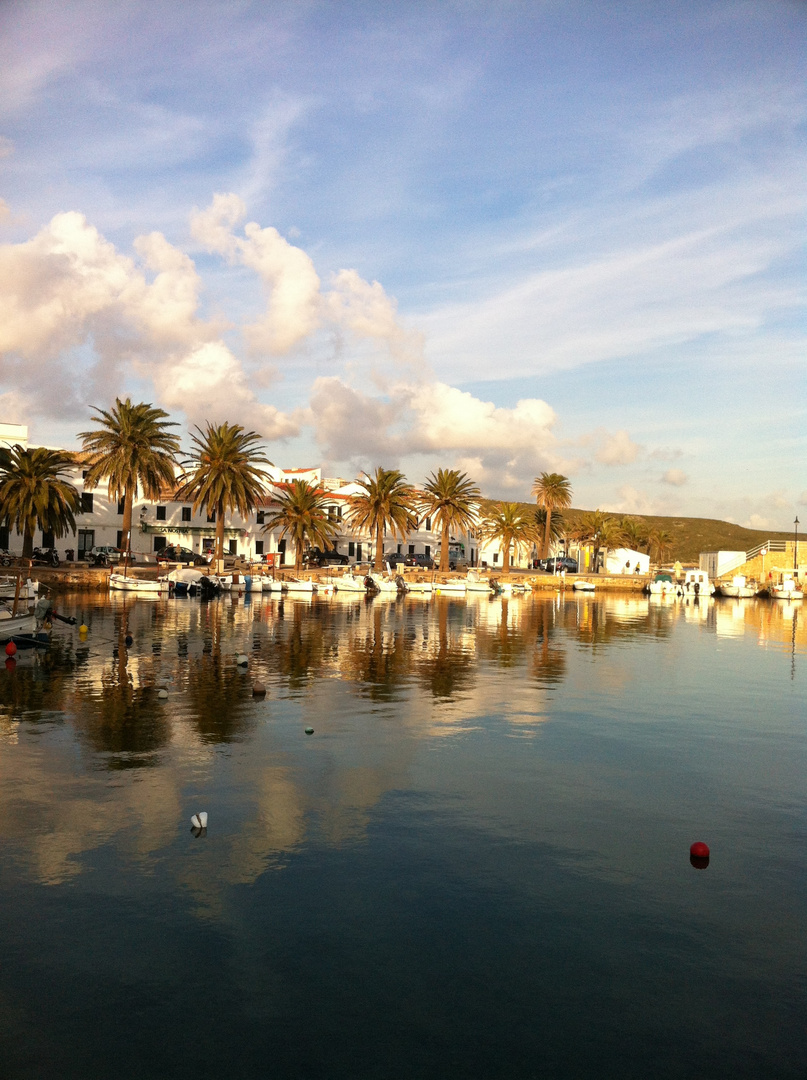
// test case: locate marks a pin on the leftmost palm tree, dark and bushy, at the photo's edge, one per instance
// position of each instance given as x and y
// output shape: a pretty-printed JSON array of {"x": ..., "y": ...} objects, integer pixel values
[{"x": 34, "y": 494}]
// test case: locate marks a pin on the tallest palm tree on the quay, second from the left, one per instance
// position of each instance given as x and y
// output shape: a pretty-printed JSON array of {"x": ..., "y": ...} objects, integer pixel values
[{"x": 132, "y": 450}]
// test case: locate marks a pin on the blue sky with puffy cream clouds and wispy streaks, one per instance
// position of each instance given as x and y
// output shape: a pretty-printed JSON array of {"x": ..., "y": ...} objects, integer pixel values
[{"x": 507, "y": 238}]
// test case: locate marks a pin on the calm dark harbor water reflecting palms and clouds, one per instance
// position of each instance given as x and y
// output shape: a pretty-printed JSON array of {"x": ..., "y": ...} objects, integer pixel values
[{"x": 478, "y": 866}]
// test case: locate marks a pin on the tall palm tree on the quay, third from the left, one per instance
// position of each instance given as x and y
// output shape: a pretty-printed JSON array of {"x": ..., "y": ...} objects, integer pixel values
[{"x": 224, "y": 474}]
